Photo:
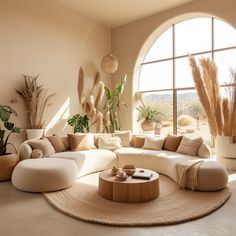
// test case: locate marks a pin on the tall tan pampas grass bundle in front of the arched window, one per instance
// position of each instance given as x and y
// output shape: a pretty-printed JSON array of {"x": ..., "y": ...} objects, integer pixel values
[{"x": 220, "y": 111}]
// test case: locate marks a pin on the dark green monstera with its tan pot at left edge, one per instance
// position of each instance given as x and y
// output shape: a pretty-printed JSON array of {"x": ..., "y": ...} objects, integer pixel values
[{"x": 7, "y": 160}]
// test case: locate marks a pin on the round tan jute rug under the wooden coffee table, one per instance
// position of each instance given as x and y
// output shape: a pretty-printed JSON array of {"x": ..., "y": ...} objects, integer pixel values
[{"x": 82, "y": 201}]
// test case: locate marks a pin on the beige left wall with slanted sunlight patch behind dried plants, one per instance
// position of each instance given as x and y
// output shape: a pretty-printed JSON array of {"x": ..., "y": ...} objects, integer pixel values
[{"x": 43, "y": 37}]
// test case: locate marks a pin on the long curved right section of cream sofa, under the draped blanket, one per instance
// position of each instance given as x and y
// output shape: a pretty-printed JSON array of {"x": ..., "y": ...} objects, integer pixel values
[{"x": 212, "y": 175}]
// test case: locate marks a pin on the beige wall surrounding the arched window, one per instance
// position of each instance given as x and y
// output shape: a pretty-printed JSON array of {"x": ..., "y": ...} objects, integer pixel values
[{"x": 128, "y": 41}]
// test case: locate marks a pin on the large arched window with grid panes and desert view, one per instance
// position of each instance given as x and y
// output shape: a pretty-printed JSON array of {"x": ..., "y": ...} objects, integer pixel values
[{"x": 166, "y": 81}]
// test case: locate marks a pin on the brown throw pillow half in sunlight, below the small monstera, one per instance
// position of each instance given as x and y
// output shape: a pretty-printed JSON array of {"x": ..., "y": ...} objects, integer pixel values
[{"x": 78, "y": 142}]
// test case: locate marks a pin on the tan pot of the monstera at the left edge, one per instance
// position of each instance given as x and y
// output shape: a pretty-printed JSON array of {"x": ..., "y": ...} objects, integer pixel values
[{"x": 7, "y": 165}]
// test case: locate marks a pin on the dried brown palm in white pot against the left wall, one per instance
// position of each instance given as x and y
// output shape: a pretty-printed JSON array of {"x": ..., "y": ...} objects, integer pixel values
[{"x": 36, "y": 100}]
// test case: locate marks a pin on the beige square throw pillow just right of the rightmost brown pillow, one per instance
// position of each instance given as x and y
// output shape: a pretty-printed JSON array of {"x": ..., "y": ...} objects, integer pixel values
[{"x": 189, "y": 146}]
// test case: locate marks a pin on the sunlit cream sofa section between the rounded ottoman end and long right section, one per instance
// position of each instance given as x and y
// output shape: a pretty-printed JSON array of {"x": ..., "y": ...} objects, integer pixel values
[{"x": 89, "y": 161}]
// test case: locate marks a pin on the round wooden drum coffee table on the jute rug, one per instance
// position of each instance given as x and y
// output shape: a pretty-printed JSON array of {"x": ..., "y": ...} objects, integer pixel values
[{"x": 131, "y": 190}]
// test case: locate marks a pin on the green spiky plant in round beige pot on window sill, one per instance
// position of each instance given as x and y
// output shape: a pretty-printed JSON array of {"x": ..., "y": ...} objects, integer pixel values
[{"x": 150, "y": 117}]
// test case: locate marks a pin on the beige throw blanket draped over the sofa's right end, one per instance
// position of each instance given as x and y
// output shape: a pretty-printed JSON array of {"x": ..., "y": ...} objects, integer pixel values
[{"x": 186, "y": 173}]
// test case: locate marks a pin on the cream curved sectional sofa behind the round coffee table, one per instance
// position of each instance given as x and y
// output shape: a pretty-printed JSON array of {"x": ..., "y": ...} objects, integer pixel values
[{"x": 212, "y": 176}]
